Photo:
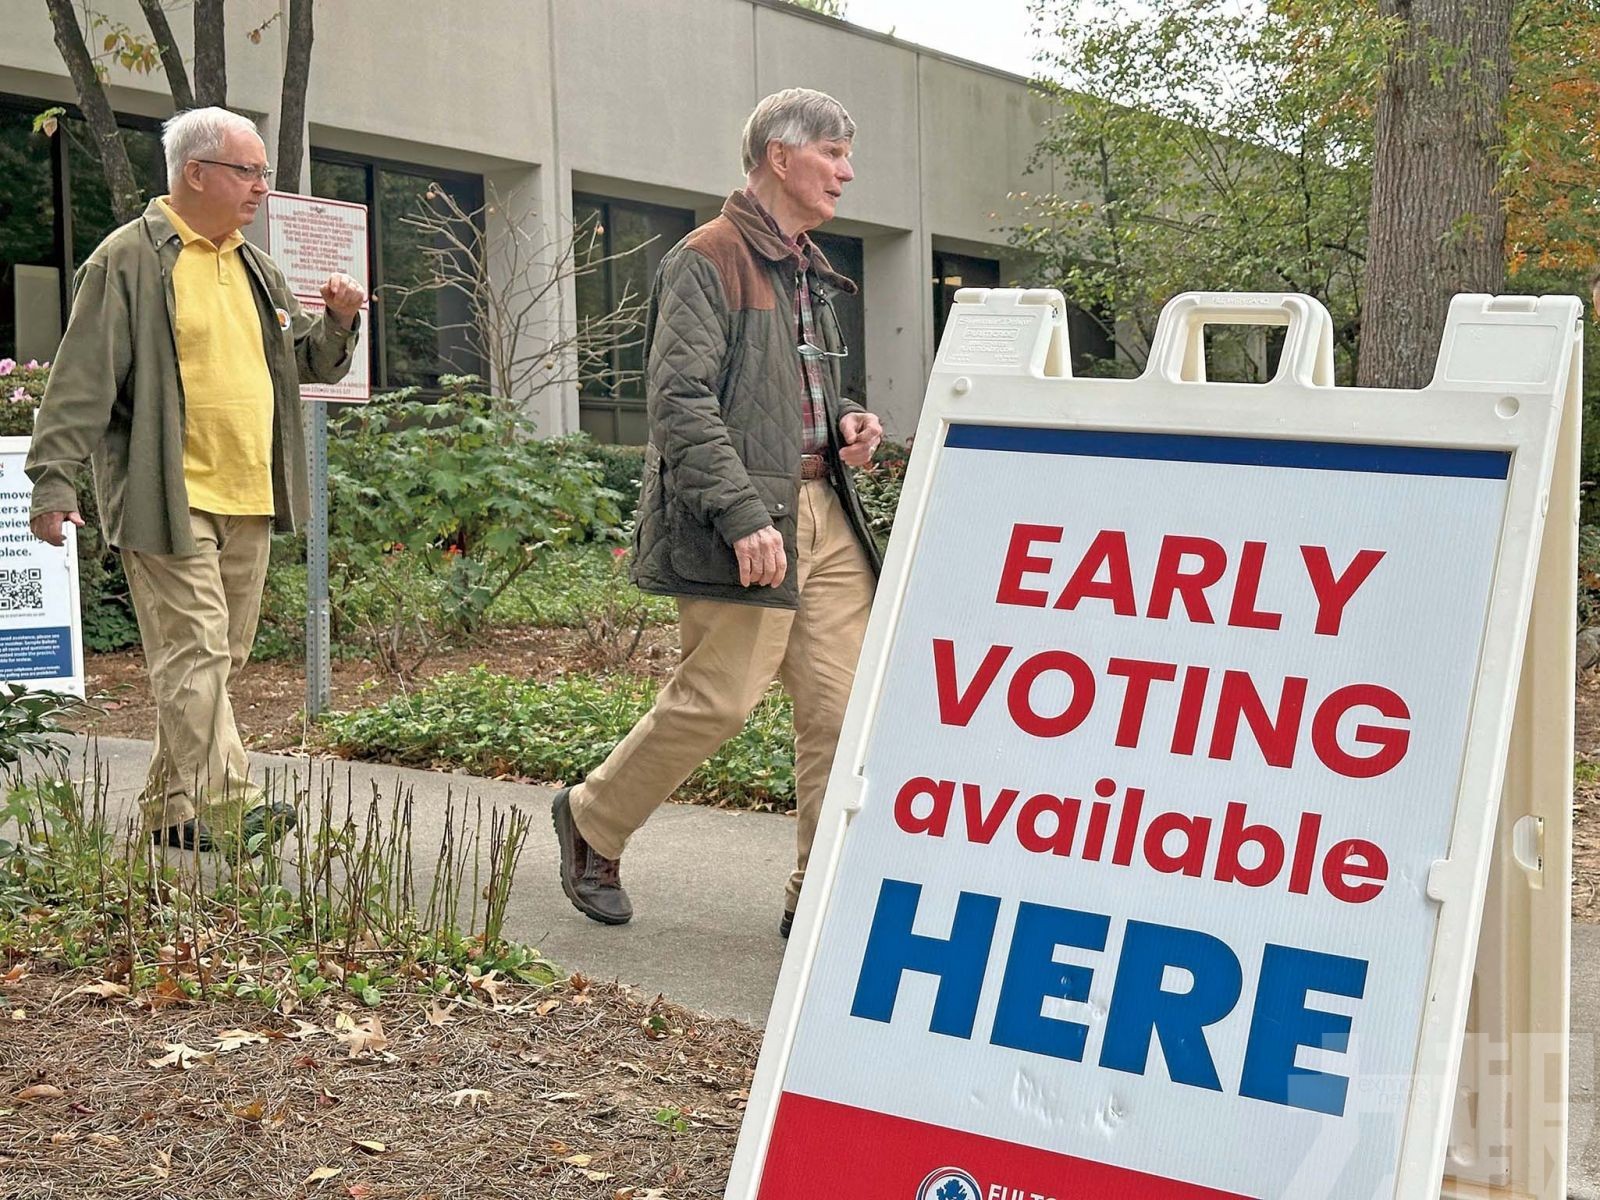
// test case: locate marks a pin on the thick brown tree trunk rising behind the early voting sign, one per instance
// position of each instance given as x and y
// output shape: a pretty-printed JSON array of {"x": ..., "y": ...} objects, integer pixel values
[{"x": 1438, "y": 223}]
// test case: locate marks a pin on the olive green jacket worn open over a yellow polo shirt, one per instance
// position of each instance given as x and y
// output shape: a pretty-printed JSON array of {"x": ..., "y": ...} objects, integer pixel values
[{"x": 116, "y": 396}]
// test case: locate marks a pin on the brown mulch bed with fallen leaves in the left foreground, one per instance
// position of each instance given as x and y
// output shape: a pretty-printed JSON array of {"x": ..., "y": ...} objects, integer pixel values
[{"x": 588, "y": 1090}]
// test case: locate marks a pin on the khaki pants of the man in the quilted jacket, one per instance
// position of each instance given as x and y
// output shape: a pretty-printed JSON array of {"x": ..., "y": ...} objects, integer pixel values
[{"x": 730, "y": 657}]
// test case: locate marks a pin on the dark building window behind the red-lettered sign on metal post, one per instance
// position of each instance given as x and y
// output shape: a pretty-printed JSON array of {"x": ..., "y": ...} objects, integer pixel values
[{"x": 420, "y": 337}]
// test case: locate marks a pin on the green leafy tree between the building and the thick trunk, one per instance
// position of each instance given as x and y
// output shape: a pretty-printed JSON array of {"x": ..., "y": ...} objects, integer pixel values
[{"x": 1204, "y": 146}]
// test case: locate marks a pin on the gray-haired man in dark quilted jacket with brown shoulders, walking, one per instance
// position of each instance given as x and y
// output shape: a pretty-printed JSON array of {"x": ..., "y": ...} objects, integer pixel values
[{"x": 748, "y": 511}]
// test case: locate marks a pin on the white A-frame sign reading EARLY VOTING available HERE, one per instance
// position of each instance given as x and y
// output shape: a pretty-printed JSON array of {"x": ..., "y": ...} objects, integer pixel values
[{"x": 1158, "y": 844}]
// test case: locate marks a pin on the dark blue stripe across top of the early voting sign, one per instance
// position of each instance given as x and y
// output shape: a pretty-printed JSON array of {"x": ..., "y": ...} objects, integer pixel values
[{"x": 1250, "y": 452}]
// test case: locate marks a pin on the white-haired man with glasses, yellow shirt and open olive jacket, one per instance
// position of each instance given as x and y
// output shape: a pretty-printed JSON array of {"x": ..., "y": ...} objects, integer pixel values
[{"x": 178, "y": 378}]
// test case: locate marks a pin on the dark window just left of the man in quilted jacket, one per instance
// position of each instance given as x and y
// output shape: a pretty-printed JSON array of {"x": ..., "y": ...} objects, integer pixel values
[{"x": 626, "y": 241}]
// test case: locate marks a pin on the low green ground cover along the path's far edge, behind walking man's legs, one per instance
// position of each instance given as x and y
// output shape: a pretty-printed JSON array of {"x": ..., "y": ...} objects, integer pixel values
[{"x": 492, "y": 724}]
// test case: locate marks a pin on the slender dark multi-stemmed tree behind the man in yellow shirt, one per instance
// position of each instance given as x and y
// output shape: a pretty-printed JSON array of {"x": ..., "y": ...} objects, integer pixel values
[{"x": 158, "y": 49}]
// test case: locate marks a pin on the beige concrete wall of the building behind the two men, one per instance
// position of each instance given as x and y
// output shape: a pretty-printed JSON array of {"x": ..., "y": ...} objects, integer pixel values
[{"x": 639, "y": 100}]
